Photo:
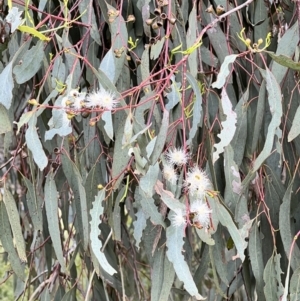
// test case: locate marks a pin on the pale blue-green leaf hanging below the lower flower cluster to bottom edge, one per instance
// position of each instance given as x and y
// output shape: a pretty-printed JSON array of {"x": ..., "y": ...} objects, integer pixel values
[{"x": 174, "y": 253}]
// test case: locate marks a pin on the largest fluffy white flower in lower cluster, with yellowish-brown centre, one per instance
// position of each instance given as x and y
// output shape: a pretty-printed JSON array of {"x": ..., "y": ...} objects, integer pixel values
[{"x": 197, "y": 182}]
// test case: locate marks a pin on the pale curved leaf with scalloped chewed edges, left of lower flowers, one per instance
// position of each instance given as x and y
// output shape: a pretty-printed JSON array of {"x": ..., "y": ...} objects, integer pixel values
[{"x": 96, "y": 244}]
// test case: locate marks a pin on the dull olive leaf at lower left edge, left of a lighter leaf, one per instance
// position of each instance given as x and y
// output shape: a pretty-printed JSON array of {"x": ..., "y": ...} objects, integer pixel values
[{"x": 6, "y": 239}]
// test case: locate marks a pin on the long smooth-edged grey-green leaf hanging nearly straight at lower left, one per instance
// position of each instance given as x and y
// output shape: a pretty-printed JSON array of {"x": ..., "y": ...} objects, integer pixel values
[{"x": 51, "y": 205}]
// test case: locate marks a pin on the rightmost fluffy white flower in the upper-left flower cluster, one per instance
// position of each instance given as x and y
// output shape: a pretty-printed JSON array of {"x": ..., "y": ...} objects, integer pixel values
[{"x": 101, "y": 98}]
